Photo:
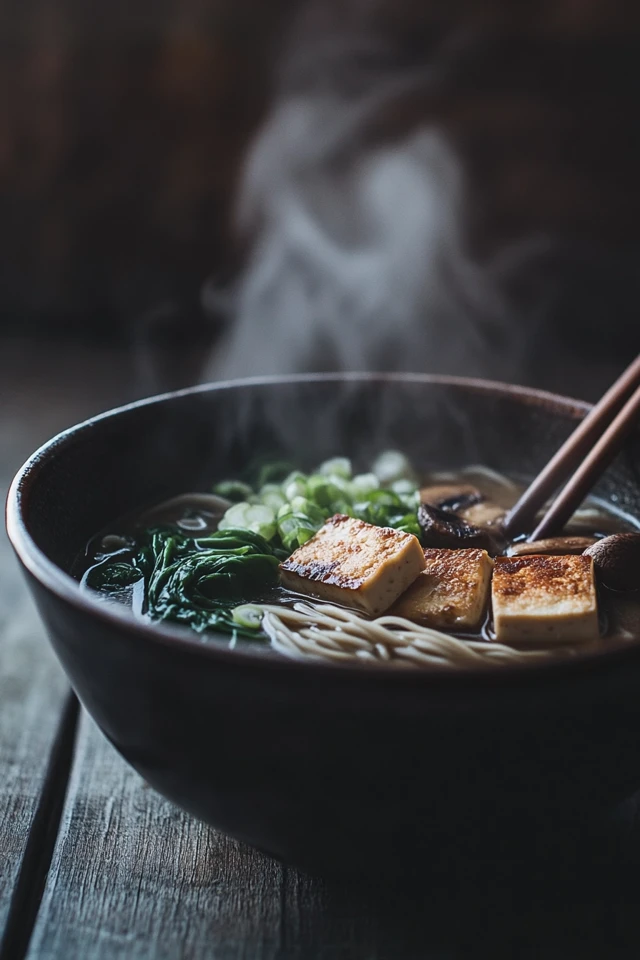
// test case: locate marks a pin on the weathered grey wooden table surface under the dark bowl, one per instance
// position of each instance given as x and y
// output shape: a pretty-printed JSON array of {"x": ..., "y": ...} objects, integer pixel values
[{"x": 94, "y": 864}]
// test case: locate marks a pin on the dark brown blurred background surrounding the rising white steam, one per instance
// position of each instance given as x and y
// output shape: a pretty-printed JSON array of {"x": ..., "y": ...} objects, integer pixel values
[{"x": 124, "y": 127}]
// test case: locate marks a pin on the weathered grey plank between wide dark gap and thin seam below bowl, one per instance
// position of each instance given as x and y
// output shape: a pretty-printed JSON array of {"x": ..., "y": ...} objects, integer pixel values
[{"x": 134, "y": 877}]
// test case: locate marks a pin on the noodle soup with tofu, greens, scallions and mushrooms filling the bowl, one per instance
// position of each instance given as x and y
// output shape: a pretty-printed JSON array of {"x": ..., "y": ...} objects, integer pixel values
[{"x": 382, "y": 566}]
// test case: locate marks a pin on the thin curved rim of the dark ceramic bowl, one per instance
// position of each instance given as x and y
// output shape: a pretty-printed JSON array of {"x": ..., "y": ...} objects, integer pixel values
[{"x": 182, "y": 640}]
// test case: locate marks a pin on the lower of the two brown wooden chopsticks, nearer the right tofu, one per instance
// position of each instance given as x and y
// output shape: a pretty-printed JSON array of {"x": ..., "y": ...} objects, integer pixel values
[{"x": 589, "y": 471}]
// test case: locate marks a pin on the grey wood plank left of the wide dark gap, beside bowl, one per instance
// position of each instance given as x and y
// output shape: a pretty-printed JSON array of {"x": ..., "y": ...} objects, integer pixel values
[{"x": 42, "y": 390}]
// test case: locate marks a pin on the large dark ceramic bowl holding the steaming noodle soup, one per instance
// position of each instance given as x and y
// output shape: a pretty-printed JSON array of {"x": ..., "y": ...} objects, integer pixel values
[{"x": 326, "y": 766}]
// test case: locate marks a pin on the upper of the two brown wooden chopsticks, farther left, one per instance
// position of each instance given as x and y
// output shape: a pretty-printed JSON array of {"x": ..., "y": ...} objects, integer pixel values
[{"x": 568, "y": 457}]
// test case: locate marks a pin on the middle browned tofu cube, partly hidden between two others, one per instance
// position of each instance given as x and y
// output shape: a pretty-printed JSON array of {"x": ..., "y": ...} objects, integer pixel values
[{"x": 451, "y": 593}]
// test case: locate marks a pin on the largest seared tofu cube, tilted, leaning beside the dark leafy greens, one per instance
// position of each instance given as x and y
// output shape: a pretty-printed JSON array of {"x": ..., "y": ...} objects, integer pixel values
[{"x": 355, "y": 564}]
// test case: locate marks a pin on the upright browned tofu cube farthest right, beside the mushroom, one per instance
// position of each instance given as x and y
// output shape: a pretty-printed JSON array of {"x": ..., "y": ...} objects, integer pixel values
[{"x": 541, "y": 598}]
